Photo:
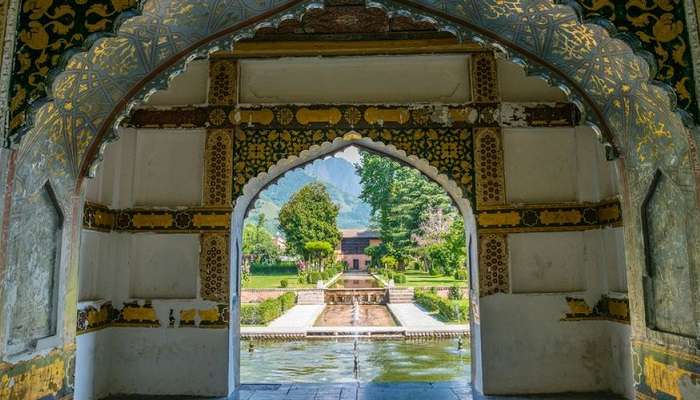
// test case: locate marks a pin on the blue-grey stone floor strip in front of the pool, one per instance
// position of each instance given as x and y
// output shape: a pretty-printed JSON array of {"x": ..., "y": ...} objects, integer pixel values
[{"x": 387, "y": 391}]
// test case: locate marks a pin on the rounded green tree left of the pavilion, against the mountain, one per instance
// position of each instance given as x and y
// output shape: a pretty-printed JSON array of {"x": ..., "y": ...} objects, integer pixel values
[{"x": 309, "y": 216}]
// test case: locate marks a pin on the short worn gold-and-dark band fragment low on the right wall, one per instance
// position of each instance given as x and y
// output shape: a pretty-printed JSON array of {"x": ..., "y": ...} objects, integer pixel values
[{"x": 607, "y": 308}]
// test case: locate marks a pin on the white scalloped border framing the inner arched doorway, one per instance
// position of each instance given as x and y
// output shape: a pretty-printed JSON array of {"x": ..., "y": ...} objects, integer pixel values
[{"x": 254, "y": 186}]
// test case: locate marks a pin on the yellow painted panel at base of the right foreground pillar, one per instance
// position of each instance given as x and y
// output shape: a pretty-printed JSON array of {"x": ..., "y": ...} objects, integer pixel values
[{"x": 665, "y": 373}]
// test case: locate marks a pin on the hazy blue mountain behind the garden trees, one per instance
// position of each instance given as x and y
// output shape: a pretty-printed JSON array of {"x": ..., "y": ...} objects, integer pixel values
[{"x": 336, "y": 174}]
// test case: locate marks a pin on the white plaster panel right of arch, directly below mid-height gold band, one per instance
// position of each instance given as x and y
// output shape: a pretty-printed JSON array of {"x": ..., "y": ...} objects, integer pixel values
[{"x": 548, "y": 262}]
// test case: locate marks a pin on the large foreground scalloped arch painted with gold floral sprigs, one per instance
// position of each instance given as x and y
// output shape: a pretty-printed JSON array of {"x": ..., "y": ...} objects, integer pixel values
[{"x": 602, "y": 74}]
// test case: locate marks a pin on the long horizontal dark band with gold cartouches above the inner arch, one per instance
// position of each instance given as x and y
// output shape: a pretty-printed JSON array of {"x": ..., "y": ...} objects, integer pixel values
[{"x": 354, "y": 116}]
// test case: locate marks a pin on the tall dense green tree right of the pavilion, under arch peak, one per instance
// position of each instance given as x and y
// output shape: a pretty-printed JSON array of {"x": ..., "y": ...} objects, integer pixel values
[{"x": 400, "y": 199}]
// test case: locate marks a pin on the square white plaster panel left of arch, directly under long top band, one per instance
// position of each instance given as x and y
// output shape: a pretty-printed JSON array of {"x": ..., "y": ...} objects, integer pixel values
[{"x": 169, "y": 167}]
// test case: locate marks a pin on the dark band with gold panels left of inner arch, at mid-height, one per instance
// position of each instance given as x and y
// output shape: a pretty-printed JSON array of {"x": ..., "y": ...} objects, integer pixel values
[{"x": 203, "y": 219}]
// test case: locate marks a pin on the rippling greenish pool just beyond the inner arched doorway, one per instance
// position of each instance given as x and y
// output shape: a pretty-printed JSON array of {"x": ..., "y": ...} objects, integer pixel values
[{"x": 326, "y": 361}]
